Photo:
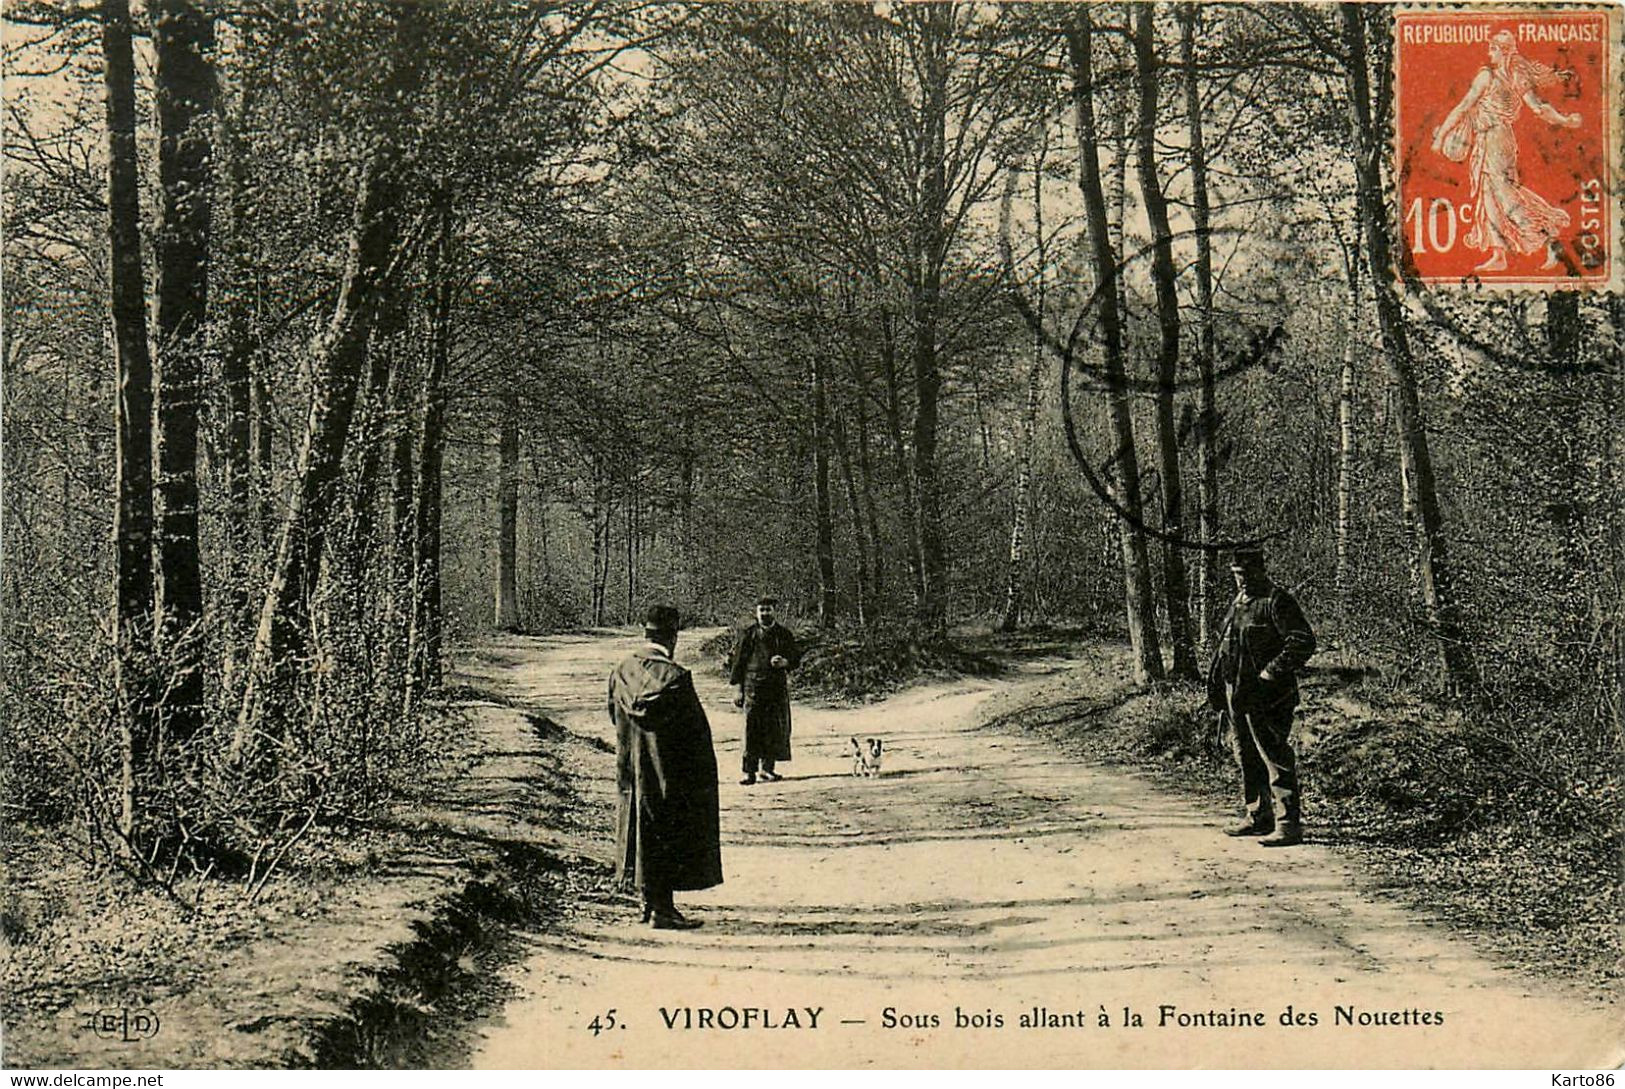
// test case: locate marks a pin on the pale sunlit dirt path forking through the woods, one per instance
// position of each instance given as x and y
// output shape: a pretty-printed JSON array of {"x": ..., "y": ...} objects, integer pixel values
[{"x": 984, "y": 879}]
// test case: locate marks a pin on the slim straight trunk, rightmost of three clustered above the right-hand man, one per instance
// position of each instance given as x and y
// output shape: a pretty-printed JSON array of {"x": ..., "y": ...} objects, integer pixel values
[{"x": 1208, "y": 588}]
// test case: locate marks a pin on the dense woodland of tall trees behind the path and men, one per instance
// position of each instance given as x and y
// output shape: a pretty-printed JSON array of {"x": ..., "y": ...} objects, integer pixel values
[{"x": 337, "y": 334}]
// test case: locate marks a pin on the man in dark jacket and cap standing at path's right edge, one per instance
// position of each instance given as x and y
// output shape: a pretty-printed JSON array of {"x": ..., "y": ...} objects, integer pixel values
[{"x": 1252, "y": 679}]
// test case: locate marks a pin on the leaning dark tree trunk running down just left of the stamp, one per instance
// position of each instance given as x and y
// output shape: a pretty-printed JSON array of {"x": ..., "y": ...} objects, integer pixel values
[{"x": 1457, "y": 666}]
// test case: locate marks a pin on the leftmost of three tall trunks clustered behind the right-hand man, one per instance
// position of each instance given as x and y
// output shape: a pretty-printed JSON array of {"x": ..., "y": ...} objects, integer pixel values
[{"x": 1125, "y": 475}]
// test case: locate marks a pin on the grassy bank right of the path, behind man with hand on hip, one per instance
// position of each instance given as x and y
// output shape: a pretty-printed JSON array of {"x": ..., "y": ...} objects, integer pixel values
[{"x": 1393, "y": 783}]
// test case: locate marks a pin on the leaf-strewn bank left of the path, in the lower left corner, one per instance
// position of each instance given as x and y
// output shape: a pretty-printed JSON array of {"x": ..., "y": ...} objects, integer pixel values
[{"x": 373, "y": 947}]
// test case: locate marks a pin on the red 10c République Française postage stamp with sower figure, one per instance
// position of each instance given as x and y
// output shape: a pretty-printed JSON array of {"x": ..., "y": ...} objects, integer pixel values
[{"x": 1507, "y": 145}]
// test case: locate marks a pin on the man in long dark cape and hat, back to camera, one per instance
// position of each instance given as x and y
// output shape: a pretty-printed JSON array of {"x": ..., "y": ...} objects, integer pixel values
[{"x": 669, "y": 835}]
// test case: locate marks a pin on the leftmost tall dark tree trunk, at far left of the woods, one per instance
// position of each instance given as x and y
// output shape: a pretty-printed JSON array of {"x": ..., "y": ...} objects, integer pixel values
[{"x": 132, "y": 415}]
